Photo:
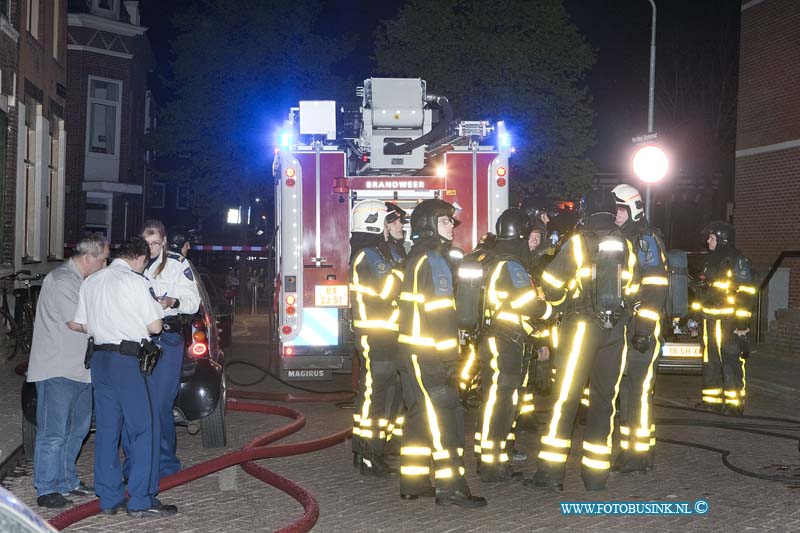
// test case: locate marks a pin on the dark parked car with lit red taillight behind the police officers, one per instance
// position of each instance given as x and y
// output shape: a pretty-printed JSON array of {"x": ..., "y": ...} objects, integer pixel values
[{"x": 201, "y": 395}]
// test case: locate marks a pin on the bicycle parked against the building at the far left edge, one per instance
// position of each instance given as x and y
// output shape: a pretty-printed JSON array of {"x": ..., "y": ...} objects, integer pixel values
[{"x": 17, "y": 333}]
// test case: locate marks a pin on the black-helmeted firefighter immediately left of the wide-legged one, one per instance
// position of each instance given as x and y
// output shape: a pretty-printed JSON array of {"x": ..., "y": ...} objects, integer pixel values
[{"x": 511, "y": 300}]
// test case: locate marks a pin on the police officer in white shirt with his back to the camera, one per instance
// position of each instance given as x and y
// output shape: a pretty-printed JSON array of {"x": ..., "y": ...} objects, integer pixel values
[{"x": 115, "y": 305}]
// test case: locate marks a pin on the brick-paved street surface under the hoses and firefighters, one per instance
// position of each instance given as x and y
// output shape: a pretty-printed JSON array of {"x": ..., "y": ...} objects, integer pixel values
[{"x": 233, "y": 501}]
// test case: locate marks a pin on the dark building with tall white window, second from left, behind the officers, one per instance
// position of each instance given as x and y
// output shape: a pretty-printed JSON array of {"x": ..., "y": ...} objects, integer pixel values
[{"x": 109, "y": 59}]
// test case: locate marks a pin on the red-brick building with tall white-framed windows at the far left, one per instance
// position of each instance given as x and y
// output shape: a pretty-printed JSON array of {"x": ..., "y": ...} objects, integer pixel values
[{"x": 40, "y": 135}]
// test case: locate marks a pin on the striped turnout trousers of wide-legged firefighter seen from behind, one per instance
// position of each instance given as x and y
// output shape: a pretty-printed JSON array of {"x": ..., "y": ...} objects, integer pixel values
[{"x": 588, "y": 351}]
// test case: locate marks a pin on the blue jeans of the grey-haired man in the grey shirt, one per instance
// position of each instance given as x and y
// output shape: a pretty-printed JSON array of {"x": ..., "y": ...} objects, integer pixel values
[{"x": 63, "y": 418}]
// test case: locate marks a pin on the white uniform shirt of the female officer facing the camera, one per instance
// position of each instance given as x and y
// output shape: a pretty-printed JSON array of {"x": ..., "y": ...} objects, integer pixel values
[{"x": 175, "y": 281}]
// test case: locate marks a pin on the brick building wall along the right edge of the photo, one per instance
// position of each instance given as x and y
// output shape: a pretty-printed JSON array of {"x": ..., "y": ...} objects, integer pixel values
[{"x": 767, "y": 212}]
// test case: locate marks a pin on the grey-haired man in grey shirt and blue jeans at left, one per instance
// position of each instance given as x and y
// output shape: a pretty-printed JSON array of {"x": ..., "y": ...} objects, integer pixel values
[{"x": 63, "y": 385}]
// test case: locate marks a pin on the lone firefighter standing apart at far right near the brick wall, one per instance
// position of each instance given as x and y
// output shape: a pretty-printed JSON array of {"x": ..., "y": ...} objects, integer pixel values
[{"x": 726, "y": 296}]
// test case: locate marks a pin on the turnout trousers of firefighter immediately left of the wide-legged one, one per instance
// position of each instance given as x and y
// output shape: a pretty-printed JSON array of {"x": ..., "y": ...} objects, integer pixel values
[{"x": 502, "y": 372}]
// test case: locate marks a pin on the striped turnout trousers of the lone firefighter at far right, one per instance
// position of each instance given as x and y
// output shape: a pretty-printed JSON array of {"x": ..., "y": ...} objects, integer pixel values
[{"x": 723, "y": 367}]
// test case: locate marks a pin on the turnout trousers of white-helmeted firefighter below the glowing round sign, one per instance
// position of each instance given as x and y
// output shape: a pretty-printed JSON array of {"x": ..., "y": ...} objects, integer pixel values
[{"x": 637, "y": 425}]
